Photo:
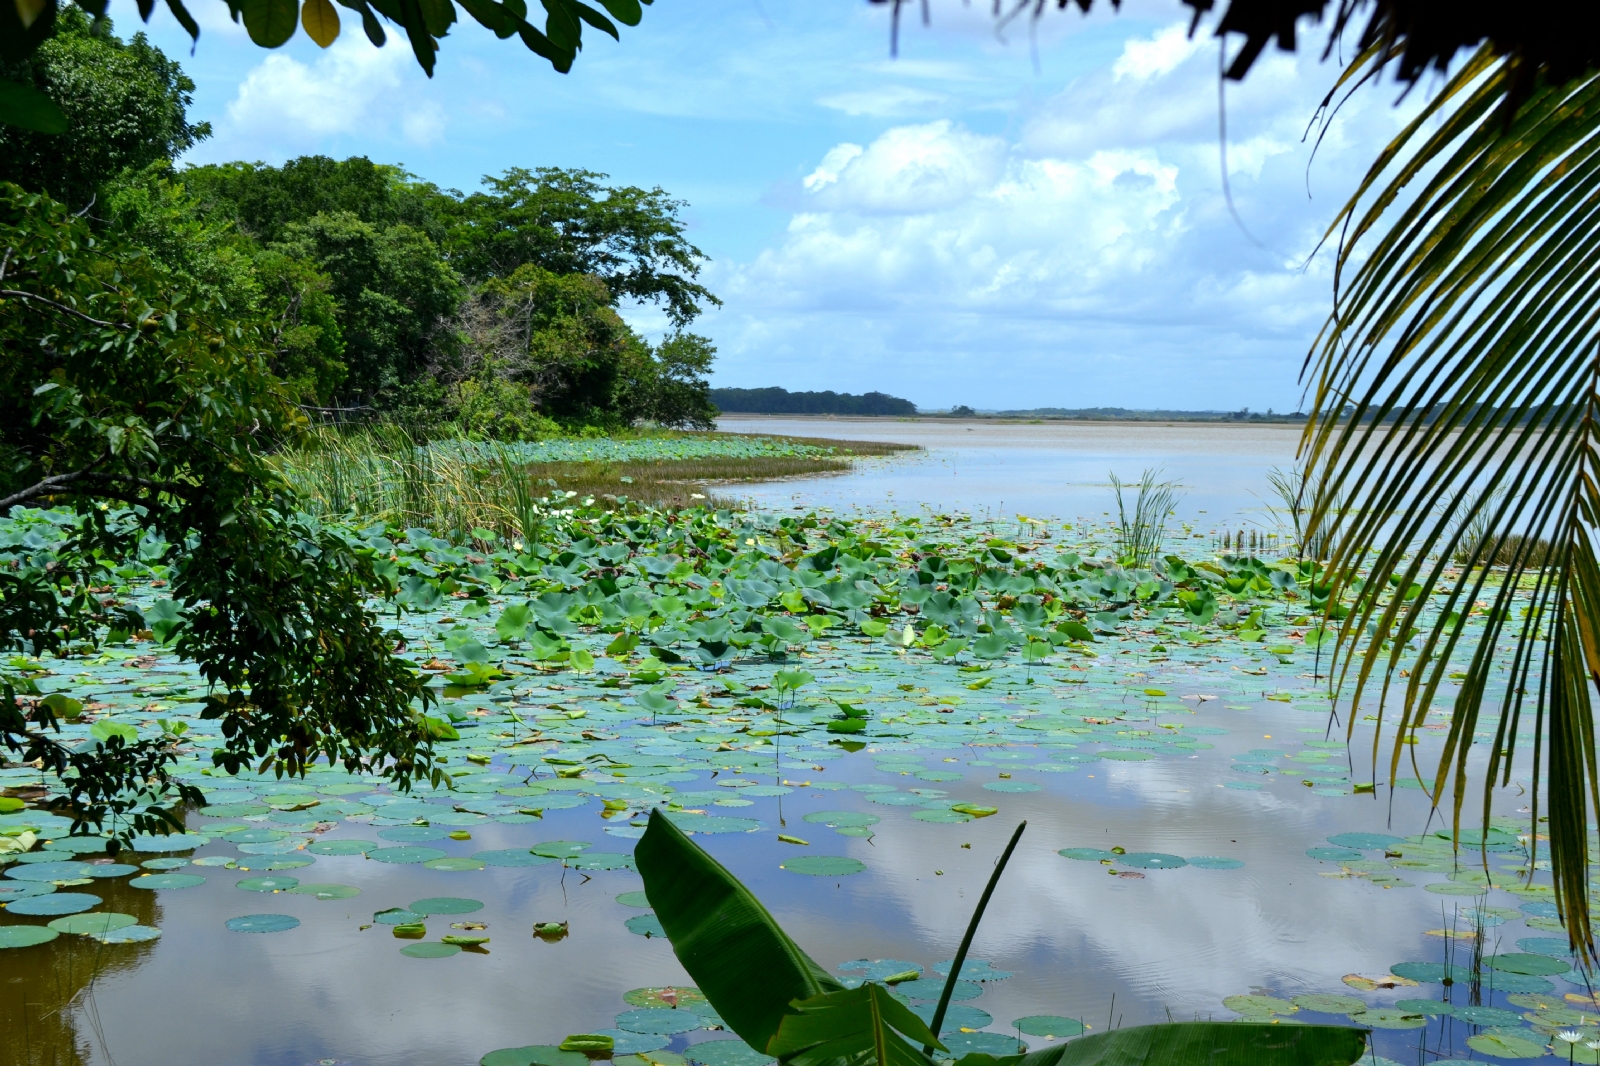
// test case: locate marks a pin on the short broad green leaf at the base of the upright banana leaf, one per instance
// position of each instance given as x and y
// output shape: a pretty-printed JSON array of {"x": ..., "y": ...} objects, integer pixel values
[{"x": 862, "y": 1027}]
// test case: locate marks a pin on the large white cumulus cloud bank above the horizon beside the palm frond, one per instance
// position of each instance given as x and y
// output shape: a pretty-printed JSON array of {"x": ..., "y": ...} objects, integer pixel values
[{"x": 1086, "y": 257}]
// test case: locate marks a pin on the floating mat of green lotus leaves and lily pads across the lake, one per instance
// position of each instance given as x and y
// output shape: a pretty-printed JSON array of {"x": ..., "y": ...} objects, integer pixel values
[{"x": 887, "y": 678}]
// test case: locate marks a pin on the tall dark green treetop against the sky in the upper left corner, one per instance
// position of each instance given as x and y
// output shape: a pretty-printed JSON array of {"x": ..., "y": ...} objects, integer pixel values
[{"x": 126, "y": 108}]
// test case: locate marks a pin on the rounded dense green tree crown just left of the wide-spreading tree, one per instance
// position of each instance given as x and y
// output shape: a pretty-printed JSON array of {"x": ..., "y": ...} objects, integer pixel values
[{"x": 394, "y": 297}]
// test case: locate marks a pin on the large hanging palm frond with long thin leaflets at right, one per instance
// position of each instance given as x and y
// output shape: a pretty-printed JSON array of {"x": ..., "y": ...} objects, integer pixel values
[{"x": 1457, "y": 419}]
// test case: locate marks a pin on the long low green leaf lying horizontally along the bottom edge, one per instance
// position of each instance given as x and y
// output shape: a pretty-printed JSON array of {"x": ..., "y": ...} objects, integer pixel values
[{"x": 1199, "y": 1044}]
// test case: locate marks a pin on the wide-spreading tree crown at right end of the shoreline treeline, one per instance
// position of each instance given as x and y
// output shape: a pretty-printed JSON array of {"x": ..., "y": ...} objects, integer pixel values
[{"x": 566, "y": 222}]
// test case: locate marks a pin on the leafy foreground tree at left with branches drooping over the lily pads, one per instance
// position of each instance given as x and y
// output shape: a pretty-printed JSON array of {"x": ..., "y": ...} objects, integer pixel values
[{"x": 138, "y": 399}]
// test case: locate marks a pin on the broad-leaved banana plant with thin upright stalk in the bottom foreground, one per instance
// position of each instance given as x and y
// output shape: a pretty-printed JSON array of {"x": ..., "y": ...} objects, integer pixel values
[{"x": 780, "y": 1001}]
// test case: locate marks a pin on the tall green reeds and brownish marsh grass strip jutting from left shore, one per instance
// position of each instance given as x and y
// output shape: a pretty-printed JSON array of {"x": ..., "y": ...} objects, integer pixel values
[{"x": 383, "y": 473}]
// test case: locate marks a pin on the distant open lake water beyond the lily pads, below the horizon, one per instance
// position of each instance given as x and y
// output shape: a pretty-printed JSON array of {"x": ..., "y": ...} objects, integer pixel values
[{"x": 1047, "y": 470}]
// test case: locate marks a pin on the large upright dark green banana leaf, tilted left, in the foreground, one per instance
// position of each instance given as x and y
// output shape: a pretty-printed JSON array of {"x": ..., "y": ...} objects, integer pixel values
[{"x": 730, "y": 945}]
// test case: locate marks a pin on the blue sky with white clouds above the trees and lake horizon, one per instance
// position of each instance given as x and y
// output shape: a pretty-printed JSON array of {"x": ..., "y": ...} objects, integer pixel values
[{"x": 1004, "y": 220}]
